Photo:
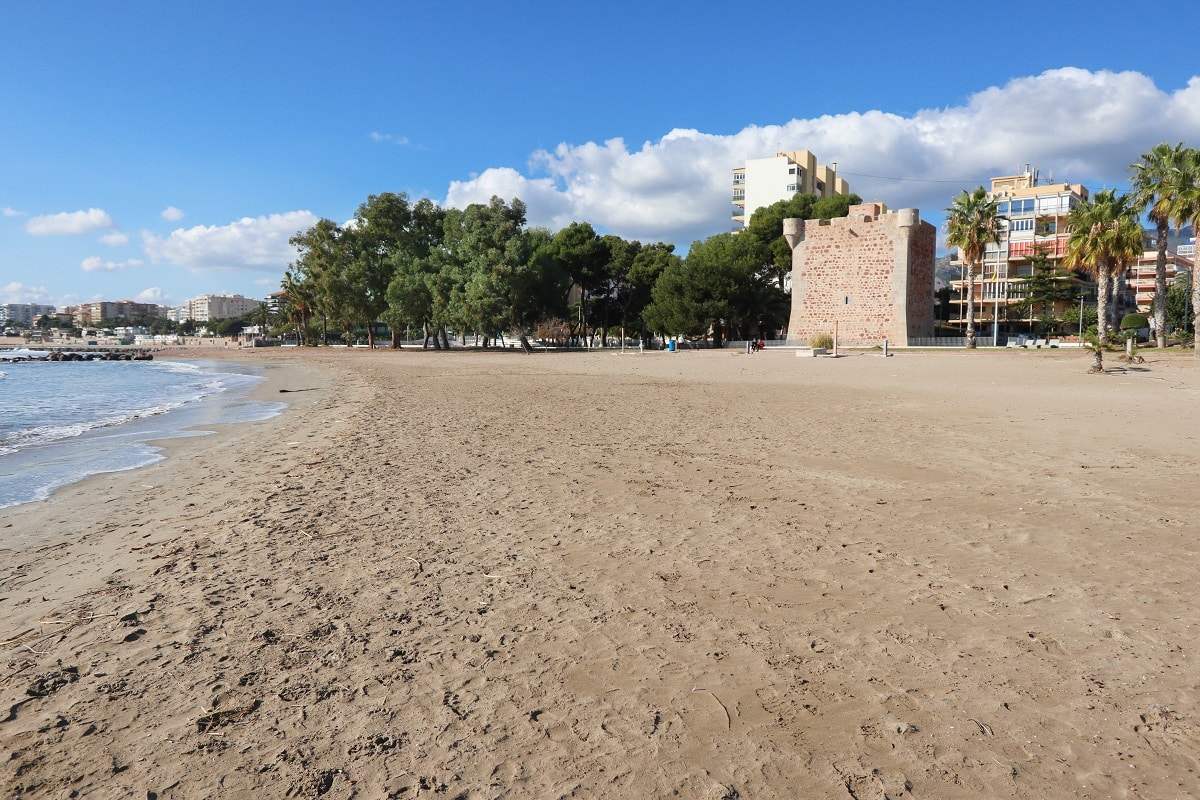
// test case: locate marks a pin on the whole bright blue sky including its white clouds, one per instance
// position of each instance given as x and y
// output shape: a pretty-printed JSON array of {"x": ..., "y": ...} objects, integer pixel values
[{"x": 158, "y": 152}]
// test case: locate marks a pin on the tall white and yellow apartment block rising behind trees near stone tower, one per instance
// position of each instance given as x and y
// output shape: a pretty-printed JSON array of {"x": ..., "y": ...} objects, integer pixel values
[{"x": 764, "y": 182}]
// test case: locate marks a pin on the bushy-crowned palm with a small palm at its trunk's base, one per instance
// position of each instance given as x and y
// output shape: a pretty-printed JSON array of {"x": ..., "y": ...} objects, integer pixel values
[{"x": 1105, "y": 237}]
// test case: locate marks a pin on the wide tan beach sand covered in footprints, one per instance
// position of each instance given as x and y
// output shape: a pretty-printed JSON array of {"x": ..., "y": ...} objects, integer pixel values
[{"x": 697, "y": 575}]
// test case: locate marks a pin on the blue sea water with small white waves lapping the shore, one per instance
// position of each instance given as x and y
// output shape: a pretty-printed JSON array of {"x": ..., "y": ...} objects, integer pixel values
[{"x": 62, "y": 422}]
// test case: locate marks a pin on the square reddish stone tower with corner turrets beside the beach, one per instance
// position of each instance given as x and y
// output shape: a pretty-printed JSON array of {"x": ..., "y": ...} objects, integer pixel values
[{"x": 868, "y": 276}]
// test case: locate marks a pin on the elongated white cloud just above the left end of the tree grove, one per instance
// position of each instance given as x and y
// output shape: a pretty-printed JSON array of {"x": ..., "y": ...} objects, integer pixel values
[{"x": 249, "y": 244}]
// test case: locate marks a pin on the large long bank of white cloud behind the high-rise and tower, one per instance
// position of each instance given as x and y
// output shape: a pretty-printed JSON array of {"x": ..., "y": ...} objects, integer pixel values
[{"x": 1081, "y": 127}]
